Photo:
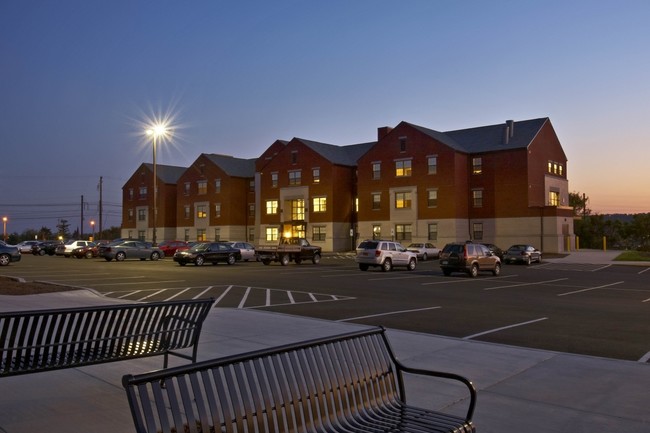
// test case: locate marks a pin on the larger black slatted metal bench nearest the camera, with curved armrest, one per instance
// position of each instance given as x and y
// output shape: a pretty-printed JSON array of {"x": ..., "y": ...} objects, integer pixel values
[{"x": 346, "y": 383}]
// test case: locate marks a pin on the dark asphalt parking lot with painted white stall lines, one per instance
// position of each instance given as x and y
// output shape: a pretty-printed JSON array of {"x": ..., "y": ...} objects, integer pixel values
[{"x": 594, "y": 309}]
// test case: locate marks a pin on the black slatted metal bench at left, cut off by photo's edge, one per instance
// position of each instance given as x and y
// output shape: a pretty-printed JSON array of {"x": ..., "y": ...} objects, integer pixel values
[{"x": 41, "y": 340}]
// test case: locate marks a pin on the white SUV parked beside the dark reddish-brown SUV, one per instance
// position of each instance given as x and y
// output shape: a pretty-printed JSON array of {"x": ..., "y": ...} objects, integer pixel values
[{"x": 386, "y": 254}]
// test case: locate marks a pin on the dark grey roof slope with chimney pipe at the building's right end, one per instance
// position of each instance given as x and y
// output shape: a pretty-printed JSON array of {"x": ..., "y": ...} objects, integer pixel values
[{"x": 488, "y": 138}]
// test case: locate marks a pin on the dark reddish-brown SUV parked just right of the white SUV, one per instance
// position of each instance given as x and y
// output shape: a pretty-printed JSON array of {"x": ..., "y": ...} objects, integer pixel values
[{"x": 468, "y": 257}]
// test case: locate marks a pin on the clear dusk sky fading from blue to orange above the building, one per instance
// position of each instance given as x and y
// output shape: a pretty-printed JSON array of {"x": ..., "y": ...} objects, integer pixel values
[{"x": 80, "y": 80}]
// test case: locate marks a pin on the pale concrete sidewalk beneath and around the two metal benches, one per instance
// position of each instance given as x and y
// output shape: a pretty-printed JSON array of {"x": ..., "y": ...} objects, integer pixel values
[{"x": 519, "y": 389}]
